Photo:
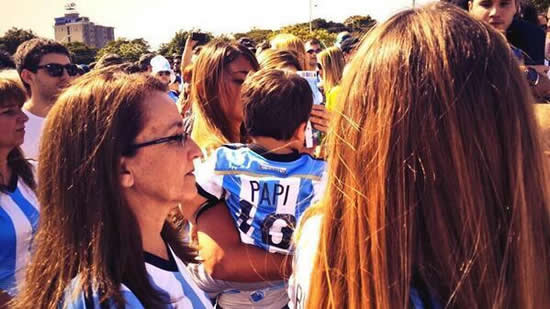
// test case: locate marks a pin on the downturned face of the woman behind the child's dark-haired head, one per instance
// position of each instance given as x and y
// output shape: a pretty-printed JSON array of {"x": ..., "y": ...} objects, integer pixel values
[{"x": 234, "y": 76}]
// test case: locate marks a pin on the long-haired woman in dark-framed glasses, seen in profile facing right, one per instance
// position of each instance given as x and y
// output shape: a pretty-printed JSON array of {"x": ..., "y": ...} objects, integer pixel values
[{"x": 115, "y": 162}]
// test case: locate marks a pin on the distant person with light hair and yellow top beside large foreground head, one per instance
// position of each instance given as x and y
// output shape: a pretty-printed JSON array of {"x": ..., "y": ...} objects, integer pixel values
[{"x": 330, "y": 65}]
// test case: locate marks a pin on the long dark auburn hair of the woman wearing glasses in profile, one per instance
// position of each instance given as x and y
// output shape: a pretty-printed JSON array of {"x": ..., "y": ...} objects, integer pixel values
[{"x": 87, "y": 229}]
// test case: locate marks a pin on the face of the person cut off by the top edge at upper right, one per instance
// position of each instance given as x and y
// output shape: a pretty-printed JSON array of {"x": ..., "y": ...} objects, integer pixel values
[{"x": 498, "y": 13}]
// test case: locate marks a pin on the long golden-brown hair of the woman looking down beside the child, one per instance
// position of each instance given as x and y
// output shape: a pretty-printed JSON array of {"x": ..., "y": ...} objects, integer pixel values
[{"x": 209, "y": 92}]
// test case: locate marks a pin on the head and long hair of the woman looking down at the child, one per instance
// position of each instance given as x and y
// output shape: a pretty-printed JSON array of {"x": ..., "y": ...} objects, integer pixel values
[{"x": 218, "y": 73}]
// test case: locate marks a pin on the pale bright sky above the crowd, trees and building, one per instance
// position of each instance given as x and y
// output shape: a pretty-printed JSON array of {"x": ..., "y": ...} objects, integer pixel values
[{"x": 158, "y": 20}]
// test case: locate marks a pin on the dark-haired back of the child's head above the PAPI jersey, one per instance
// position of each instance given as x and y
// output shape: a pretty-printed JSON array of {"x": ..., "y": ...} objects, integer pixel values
[{"x": 276, "y": 104}]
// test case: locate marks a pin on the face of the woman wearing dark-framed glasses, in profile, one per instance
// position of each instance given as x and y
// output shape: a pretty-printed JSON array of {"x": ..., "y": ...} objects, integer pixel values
[{"x": 163, "y": 172}]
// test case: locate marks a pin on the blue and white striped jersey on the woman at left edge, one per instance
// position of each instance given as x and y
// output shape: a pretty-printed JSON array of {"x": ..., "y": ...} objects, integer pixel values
[{"x": 19, "y": 213}]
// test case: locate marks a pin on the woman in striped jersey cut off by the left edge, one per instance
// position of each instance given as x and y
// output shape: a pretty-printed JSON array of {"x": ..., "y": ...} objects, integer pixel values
[{"x": 19, "y": 210}]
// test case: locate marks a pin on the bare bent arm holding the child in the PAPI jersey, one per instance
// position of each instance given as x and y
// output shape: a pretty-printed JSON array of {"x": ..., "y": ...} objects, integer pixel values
[{"x": 227, "y": 258}]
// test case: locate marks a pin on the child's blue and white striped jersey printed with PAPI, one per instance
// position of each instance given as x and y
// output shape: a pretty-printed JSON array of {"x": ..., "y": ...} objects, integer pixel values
[{"x": 266, "y": 193}]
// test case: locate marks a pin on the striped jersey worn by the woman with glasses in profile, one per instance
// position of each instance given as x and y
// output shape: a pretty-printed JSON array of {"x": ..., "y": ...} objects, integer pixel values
[{"x": 169, "y": 277}]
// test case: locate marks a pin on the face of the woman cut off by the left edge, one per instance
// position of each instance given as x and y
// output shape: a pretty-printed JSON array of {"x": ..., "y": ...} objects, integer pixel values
[{"x": 12, "y": 125}]
